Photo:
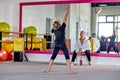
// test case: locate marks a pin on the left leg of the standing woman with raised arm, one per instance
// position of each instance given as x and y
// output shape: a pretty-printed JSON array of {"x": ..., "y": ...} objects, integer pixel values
[{"x": 55, "y": 52}]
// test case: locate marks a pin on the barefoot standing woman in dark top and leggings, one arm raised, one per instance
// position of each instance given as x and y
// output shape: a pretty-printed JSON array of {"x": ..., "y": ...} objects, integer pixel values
[{"x": 59, "y": 31}]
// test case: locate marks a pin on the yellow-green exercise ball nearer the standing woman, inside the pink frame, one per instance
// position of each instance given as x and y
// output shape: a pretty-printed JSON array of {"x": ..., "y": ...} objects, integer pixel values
[{"x": 30, "y": 30}]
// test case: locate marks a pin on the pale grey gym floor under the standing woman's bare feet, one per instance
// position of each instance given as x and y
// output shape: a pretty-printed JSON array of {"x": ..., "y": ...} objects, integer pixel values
[{"x": 34, "y": 71}]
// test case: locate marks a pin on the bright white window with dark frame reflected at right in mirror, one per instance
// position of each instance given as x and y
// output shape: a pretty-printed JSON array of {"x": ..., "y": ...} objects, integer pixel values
[{"x": 107, "y": 24}]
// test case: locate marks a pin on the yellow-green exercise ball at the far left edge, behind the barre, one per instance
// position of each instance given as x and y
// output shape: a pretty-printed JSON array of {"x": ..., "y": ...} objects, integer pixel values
[{"x": 4, "y": 27}]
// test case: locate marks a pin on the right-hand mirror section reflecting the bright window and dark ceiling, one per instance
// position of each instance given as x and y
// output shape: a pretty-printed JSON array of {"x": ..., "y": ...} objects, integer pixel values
[{"x": 105, "y": 21}]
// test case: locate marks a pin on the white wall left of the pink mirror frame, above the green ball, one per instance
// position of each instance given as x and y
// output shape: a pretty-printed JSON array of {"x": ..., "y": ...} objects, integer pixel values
[{"x": 11, "y": 9}]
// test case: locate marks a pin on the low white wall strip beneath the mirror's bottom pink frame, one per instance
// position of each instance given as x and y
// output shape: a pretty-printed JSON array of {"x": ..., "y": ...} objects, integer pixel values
[{"x": 96, "y": 60}]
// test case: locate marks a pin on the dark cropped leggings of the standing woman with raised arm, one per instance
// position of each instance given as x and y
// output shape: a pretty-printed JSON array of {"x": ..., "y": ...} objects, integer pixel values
[{"x": 56, "y": 50}]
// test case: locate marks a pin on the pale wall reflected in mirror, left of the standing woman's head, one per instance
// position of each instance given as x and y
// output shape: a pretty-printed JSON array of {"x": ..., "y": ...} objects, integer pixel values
[{"x": 36, "y": 16}]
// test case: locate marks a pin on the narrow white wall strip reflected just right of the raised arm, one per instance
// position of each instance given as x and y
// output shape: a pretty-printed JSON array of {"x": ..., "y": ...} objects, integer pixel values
[{"x": 74, "y": 17}]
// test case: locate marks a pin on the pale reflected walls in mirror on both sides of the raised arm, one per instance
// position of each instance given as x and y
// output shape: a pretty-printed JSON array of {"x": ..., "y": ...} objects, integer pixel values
[{"x": 43, "y": 16}]
